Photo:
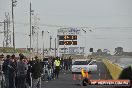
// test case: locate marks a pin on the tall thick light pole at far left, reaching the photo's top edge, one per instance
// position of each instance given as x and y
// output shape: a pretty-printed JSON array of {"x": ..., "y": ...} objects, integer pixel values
[{"x": 13, "y": 5}]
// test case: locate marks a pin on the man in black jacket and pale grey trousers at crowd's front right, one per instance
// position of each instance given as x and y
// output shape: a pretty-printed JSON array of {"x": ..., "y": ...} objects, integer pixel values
[{"x": 36, "y": 73}]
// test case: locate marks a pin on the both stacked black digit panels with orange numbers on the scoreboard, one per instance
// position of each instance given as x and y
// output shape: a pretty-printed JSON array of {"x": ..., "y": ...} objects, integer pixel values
[{"x": 67, "y": 39}]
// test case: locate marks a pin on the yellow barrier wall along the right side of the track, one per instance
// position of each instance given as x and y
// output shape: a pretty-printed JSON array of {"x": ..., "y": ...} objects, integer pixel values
[{"x": 114, "y": 69}]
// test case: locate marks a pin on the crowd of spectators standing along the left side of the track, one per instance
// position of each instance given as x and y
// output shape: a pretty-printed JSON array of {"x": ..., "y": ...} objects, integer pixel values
[{"x": 23, "y": 72}]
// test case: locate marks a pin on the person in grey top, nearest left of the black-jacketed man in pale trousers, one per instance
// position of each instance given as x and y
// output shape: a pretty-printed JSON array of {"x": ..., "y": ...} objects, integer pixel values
[{"x": 21, "y": 72}]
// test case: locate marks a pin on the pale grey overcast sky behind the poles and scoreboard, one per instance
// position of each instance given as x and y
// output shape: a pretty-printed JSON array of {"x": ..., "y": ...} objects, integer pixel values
[{"x": 114, "y": 15}]
